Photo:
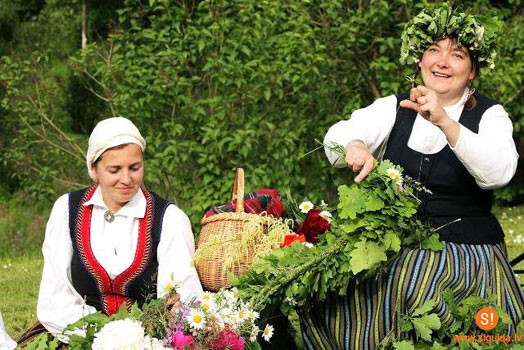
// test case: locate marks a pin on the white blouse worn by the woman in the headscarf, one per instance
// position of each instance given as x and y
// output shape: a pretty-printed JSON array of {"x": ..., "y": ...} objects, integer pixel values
[{"x": 113, "y": 245}]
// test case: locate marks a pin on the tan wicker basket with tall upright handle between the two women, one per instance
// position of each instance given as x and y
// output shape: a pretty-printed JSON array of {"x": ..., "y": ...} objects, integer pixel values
[{"x": 227, "y": 226}]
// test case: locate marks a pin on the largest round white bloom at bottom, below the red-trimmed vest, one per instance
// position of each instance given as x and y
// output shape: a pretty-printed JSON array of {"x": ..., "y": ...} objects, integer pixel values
[{"x": 121, "y": 334}]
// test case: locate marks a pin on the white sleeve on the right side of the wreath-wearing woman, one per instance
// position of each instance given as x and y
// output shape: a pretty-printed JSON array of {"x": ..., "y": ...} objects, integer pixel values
[{"x": 490, "y": 155}]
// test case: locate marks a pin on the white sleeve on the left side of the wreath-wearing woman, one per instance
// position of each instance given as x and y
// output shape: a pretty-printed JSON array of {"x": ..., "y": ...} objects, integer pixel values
[{"x": 370, "y": 125}]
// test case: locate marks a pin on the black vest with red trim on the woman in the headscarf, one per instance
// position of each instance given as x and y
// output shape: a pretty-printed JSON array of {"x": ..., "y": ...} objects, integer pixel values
[{"x": 91, "y": 280}]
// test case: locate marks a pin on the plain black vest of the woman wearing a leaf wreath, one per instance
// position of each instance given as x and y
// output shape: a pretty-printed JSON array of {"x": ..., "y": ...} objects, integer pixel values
[{"x": 455, "y": 194}]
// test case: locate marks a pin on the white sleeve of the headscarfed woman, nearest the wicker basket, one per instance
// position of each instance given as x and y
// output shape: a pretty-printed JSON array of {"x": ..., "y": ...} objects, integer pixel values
[{"x": 175, "y": 253}]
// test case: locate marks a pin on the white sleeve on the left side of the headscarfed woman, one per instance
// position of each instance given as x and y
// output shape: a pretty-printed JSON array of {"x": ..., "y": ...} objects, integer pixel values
[{"x": 59, "y": 304}]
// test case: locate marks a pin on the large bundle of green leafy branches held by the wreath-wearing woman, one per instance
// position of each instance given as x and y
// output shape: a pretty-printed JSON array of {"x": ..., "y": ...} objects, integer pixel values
[{"x": 374, "y": 219}]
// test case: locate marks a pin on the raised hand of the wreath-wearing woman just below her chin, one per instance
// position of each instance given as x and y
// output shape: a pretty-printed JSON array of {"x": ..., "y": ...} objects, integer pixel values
[{"x": 425, "y": 101}]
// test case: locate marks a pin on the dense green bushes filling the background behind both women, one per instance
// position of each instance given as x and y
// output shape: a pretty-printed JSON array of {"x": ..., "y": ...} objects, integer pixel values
[{"x": 212, "y": 85}]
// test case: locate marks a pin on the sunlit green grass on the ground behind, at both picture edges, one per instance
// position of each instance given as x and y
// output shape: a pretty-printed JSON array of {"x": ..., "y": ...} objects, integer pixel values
[{"x": 22, "y": 230}]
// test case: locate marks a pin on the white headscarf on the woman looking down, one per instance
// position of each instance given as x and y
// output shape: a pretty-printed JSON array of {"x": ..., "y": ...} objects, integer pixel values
[{"x": 110, "y": 133}]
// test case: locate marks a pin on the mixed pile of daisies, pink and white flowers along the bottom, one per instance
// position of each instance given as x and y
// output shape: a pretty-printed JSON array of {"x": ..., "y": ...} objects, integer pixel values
[{"x": 216, "y": 321}]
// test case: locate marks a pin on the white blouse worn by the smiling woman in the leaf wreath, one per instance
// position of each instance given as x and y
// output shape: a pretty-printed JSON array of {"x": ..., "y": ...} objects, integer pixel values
[{"x": 490, "y": 155}]
